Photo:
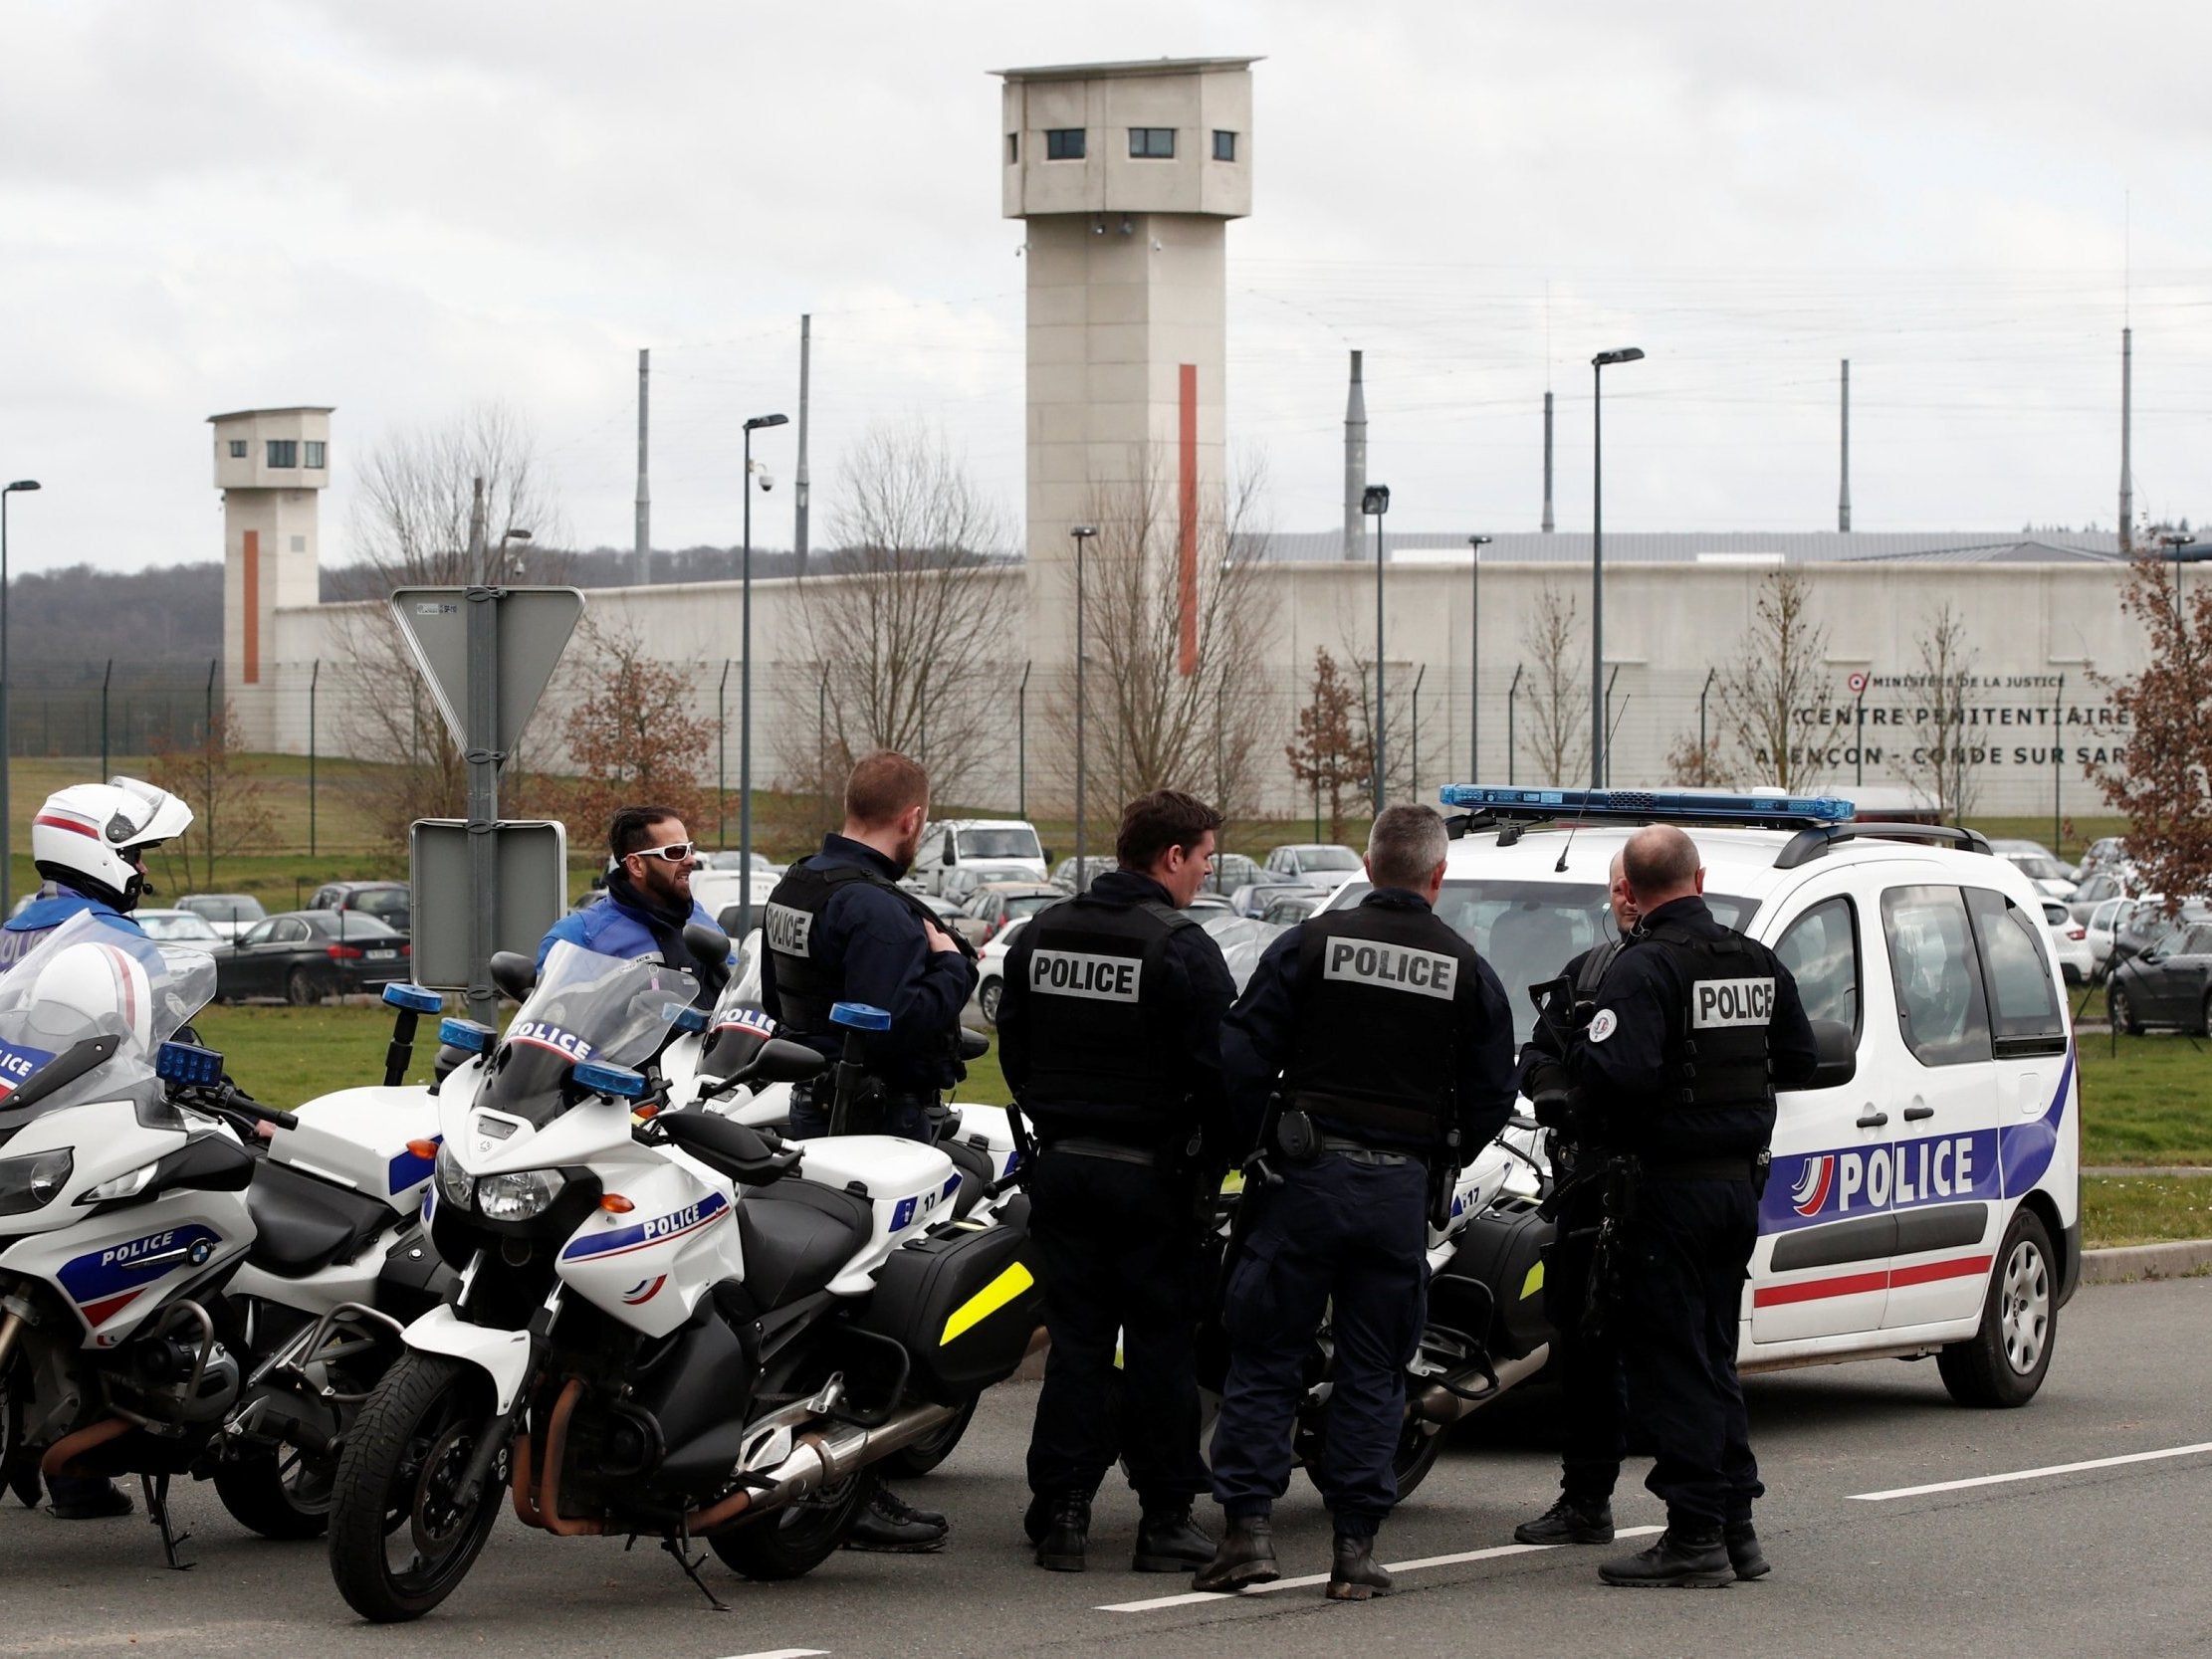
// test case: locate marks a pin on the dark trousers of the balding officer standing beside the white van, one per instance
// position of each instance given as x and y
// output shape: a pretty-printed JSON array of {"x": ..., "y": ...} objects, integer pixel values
[{"x": 1682, "y": 1306}]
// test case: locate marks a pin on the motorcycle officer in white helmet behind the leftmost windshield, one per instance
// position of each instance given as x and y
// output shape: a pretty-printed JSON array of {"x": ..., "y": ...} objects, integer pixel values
[{"x": 90, "y": 842}]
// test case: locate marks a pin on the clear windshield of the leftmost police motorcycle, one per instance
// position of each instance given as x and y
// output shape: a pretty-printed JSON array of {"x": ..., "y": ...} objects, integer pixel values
[{"x": 83, "y": 983}]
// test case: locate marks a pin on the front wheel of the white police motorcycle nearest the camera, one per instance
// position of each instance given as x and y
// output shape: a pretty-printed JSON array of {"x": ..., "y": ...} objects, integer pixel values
[{"x": 401, "y": 1538}]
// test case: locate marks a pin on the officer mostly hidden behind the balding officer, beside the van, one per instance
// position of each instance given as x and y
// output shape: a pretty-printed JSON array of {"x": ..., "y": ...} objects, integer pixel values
[{"x": 1583, "y": 1355}]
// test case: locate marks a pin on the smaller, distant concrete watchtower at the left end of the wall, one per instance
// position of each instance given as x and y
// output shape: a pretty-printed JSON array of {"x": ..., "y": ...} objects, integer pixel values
[{"x": 269, "y": 463}]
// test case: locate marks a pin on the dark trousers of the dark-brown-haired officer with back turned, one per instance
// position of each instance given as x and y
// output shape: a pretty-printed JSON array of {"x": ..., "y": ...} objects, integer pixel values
[{"x": 1118, "y": 1253}]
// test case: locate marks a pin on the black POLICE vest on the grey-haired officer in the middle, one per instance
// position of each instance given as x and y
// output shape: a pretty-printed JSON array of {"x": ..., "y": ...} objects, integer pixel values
[{"x": 1384, "y": 997}]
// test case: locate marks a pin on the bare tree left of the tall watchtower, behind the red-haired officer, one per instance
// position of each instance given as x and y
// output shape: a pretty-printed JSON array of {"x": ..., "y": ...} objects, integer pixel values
[{"x": 906, "y": 636}]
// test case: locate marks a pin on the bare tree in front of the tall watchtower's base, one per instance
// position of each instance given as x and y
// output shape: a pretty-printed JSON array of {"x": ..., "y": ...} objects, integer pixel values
[{"x": 1178, "y": 685}]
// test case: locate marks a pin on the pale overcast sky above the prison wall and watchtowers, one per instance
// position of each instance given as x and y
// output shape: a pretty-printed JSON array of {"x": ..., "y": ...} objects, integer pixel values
[{"x": 406, "y": 207}]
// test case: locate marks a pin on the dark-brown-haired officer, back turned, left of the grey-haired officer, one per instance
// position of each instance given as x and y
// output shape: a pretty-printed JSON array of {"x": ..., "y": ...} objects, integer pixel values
[{"x": 1109, "y": 1034}]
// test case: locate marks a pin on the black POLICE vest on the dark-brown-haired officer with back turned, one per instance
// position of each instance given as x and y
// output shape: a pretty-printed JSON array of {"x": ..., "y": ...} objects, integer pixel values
[{"x": 1096, "y": 985}]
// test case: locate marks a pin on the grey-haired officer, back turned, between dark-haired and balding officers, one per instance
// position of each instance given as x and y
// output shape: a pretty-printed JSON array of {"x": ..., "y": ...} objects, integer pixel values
[{"x": 1379, "y": 1034}]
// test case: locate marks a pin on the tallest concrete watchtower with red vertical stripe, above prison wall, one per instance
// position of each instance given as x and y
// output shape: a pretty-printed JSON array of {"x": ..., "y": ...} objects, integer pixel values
[{"x": 1127, "y": 176}]
